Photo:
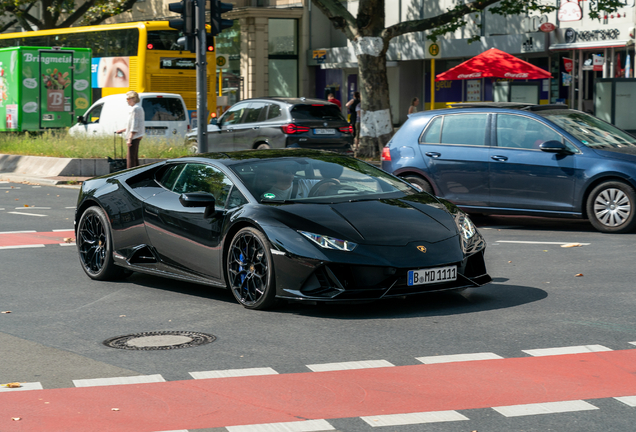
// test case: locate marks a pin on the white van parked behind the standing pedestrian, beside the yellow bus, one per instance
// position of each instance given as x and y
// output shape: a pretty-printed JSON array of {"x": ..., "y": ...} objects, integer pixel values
[{"x": 166, "y": 117}]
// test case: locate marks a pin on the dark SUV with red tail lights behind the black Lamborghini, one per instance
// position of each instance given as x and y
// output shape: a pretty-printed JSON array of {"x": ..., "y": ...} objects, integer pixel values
[{"x": 277, "y": 122}]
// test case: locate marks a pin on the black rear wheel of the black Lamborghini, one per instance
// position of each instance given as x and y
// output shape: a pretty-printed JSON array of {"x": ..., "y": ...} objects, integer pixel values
[{"x": 94, "y": 245}]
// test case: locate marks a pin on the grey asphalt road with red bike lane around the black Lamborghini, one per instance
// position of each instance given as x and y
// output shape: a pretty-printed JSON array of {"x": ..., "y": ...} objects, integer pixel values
[{"x": 543, "y": 296}]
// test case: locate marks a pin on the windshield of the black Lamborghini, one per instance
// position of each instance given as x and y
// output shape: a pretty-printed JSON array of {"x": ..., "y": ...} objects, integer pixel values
[{"x": 312, "y": 179}]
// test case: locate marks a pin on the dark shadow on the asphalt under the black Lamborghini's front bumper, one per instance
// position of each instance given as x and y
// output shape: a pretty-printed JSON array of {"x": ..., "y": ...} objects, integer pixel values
[{"x": 497, "y": 295}]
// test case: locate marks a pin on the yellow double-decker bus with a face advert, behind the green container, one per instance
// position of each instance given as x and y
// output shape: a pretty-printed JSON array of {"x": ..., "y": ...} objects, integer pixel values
[{"x": 140, "y": 56}]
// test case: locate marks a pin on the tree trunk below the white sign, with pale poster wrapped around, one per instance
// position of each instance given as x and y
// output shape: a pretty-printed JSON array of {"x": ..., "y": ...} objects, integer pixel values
[{"x": 376, "y": 126}]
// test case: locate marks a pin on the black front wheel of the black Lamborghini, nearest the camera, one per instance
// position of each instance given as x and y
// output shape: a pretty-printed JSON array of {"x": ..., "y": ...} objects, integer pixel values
[{"x": 250, "y": 270}]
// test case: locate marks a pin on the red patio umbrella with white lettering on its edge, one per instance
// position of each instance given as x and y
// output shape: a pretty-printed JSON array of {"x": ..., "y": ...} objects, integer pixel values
[{"x": 494, "y": 63}]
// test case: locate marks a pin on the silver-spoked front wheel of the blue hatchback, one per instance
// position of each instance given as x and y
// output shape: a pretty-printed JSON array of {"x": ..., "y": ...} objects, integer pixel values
[{"x": 611, "y": 206}]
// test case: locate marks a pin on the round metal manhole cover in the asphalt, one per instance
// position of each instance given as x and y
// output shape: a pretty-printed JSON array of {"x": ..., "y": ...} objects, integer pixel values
[{"x": 161, "y": 340}]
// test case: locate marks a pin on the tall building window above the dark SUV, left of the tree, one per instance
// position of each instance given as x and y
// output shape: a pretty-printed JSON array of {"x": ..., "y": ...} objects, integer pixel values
[{"x": 283, "y": 57}]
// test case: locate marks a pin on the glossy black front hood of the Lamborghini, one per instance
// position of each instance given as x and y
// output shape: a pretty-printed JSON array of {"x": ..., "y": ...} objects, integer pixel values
[{"x": 388, "y": 222}]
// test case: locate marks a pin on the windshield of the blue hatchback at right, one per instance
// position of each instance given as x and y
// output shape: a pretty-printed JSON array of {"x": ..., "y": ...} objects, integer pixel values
[{"x": 589, "y": 130}]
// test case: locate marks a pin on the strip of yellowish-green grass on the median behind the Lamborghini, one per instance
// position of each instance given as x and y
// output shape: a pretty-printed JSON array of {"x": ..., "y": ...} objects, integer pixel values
[{"x": 61, "y": 145}]
